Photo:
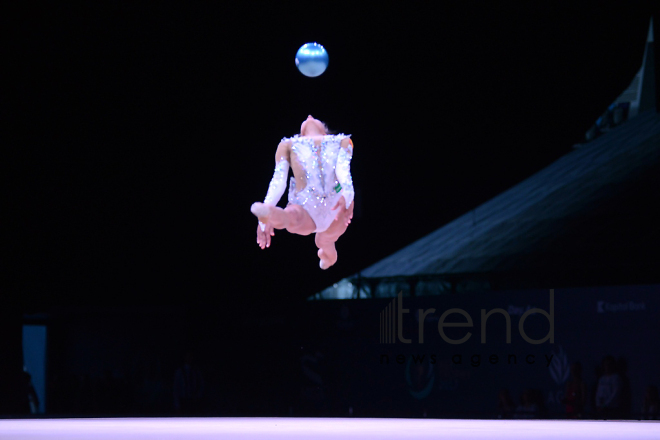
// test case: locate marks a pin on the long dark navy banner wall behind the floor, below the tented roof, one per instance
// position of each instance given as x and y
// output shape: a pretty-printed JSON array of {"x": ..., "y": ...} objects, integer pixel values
[{"x": 325, "y": 358}]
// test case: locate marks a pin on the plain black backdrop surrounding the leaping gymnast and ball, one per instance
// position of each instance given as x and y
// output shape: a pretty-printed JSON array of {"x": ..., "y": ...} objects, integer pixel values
[{"x": 138, "y": 135}]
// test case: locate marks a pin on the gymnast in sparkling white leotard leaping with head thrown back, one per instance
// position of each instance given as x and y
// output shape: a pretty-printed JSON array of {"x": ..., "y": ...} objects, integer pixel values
[{"x": 320, "y": 192}]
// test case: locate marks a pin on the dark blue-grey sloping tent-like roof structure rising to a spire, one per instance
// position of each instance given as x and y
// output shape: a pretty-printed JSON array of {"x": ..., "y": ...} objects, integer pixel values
[{"x": 586, "y": 219}]
